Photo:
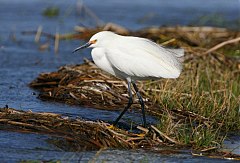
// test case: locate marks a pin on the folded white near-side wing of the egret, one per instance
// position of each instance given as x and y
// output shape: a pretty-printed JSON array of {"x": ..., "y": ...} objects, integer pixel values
[{"x": 141, "y": 63}]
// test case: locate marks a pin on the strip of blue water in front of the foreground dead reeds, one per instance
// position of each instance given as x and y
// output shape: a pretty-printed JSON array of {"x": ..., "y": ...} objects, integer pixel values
[{"x": 16, "y": 149}]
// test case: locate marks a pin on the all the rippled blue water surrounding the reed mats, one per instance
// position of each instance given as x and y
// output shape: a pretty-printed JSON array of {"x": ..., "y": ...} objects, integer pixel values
[{"x": 21, "y": 62}]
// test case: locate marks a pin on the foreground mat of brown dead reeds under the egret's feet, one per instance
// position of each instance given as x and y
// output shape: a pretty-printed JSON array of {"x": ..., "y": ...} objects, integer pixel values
[{"x": 80, "y": 134}]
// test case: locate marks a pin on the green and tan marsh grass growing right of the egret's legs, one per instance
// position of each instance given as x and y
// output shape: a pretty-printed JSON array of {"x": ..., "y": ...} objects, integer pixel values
[{"x": 208, "y": 89}]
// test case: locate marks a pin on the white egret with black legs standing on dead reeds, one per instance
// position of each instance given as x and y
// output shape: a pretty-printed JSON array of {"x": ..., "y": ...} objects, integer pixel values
[{"x": 133, "y": 58}]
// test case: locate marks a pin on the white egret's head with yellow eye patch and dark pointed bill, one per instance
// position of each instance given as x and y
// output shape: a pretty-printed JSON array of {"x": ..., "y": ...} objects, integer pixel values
[{"x": 100, "y": 39}]
